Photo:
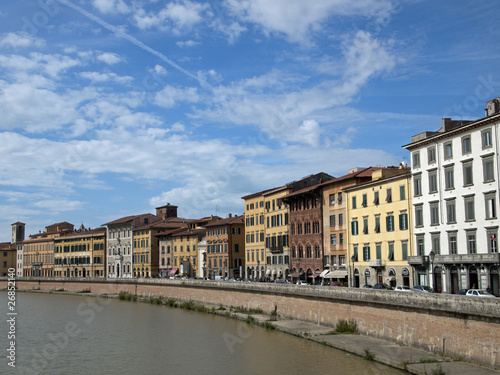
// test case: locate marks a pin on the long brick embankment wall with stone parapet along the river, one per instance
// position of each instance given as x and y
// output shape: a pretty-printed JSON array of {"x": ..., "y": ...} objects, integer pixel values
[{"x": 456, "y": 326}]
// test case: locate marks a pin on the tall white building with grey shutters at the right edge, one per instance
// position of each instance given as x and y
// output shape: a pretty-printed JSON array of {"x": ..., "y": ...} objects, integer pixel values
[{"x": 455, "y": 176}]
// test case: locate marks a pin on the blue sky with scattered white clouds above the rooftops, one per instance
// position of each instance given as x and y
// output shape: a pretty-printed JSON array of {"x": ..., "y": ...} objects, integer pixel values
[{"x": 110, "y": 108}]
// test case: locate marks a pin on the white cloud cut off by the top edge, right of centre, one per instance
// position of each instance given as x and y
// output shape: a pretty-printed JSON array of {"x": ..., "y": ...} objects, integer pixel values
[{"x": 297, "y": 19}]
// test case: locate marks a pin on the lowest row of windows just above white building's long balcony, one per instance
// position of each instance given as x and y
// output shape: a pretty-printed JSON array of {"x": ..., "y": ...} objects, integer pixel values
[{"x": 470, "y": 242}]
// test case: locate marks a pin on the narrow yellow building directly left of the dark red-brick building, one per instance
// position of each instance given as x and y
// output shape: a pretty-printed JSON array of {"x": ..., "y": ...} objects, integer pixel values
[{"x": 276, "y": 233}]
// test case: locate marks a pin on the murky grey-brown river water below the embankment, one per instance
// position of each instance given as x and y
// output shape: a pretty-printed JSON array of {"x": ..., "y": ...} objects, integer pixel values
[{"x": 63, "y": 334}]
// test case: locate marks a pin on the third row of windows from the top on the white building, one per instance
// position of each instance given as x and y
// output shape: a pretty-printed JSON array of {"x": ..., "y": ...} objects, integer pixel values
[{"x": 451, "y": 215}]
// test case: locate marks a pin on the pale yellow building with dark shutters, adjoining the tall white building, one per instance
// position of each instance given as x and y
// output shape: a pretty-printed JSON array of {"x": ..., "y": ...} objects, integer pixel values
[{"x": 380, "y": 218}]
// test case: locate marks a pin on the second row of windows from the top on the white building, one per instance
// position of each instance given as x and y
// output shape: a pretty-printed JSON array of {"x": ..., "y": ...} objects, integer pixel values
[{"x": 449, "y": 176}]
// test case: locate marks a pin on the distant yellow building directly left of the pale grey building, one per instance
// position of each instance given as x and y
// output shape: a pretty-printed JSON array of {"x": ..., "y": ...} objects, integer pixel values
[{"x": 80, "y": 253}]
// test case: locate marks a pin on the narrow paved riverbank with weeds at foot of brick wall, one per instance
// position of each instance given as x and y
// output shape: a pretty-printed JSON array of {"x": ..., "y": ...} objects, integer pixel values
[{"x": 411, "y": 360}]
